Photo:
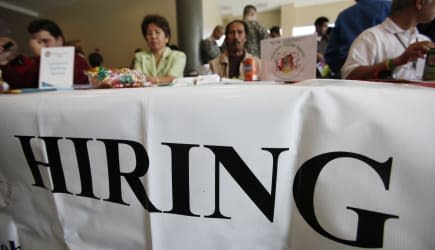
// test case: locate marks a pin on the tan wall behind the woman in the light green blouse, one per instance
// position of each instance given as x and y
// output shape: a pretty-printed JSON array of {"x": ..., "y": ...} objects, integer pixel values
[{"x": 112, "y": 26}]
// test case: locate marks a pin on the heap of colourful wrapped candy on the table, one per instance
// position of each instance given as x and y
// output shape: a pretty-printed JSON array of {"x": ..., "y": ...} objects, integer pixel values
[{"x": 100, "y": 77}]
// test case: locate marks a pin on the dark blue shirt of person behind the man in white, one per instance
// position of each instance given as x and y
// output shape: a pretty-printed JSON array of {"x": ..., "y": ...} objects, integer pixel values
[{"x": 349, "y": 24}]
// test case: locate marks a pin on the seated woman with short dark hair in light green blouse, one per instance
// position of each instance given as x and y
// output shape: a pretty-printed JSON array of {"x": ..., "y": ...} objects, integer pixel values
[{"x": 160, "y": 64}]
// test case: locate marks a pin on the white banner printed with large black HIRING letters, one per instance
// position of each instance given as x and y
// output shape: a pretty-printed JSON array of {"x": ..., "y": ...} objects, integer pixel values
[{"x": 300, "y": 167}]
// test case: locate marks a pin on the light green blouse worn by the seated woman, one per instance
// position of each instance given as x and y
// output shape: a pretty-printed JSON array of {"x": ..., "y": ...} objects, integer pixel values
[{"x": 172, "y": 63}]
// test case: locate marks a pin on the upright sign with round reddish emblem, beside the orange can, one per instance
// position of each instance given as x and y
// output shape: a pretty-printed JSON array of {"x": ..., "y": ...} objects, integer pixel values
[{"x": 289, "y": 59}]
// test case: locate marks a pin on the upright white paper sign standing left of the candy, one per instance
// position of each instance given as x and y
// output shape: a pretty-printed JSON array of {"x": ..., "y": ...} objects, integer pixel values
[{"x": 57, "y": 67}]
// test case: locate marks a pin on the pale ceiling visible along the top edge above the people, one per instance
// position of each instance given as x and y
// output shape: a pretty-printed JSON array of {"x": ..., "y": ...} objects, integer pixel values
[{"x": 227, "y": 7}]
